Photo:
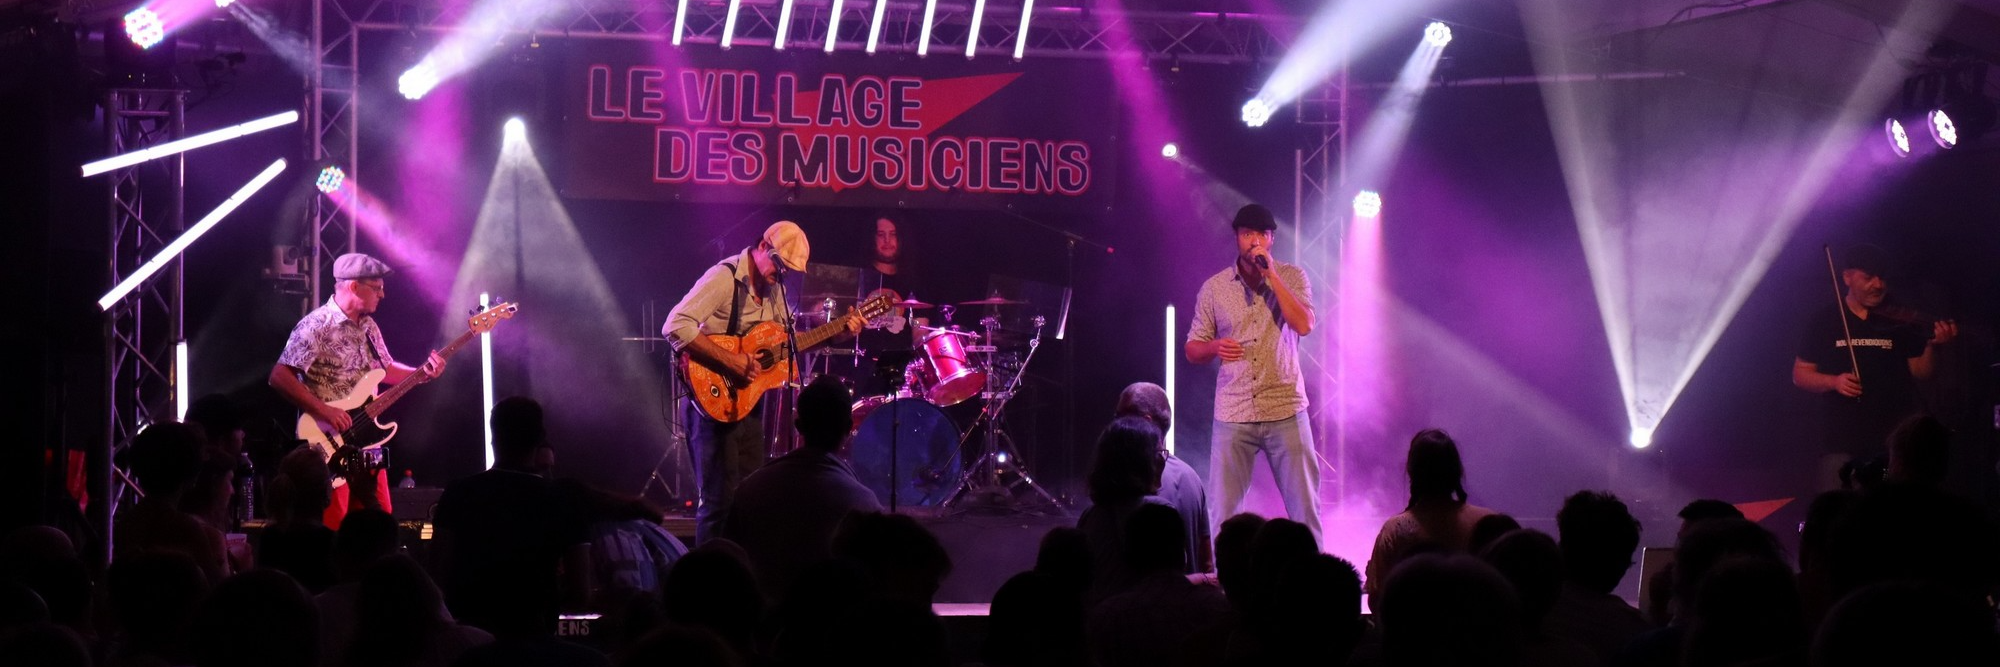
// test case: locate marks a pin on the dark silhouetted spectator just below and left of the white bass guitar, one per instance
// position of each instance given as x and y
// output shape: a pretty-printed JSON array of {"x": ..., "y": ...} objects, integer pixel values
[{"x": 297, "y": 540}]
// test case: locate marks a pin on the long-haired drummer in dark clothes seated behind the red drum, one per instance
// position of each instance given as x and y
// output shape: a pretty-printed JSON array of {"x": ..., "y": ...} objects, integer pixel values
[{"x": 893, "y": 334}]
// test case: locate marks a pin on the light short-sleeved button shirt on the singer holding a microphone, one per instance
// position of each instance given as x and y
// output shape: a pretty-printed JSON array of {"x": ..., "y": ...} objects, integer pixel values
[{"x": 1265, "y": 384}]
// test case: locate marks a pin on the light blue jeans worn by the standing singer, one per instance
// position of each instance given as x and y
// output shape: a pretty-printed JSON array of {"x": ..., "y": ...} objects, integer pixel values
[{"x": 1287, "y": 444}]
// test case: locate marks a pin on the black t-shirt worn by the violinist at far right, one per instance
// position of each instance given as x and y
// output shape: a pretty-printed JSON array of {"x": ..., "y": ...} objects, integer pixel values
[{"x": 1889, "y": 392}]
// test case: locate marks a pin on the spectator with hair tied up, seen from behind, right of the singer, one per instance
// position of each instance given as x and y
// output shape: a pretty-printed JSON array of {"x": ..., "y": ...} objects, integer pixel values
[{"x": 1439, "y": 512}]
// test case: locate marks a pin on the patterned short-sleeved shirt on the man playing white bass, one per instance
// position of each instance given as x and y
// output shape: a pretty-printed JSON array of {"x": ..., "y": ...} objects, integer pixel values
[{"x": 335, "y": 350}]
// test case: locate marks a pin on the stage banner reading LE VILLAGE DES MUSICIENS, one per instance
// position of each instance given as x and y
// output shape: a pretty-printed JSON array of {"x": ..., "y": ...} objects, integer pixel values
[{"x": 753, "y": 125}]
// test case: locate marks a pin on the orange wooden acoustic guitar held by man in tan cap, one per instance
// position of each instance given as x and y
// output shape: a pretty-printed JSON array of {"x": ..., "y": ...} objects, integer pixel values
[{"x": 723, "y": 398}]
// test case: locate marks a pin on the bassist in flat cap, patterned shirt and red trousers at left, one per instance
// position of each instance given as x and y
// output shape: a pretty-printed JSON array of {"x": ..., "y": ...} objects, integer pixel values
[{"x": 329, "y": 354}]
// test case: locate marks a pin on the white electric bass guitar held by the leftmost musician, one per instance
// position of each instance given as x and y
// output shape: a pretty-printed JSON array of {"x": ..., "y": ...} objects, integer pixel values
[{"x": 359, "y": 450}]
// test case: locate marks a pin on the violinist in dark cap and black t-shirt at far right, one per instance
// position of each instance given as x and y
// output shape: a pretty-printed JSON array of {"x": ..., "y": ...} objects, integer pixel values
[{"x": 1865, "y": 358}]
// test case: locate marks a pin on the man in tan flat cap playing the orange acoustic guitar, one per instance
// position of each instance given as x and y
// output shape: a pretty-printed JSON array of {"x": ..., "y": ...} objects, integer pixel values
[{"x": 731, "y": 299}]
